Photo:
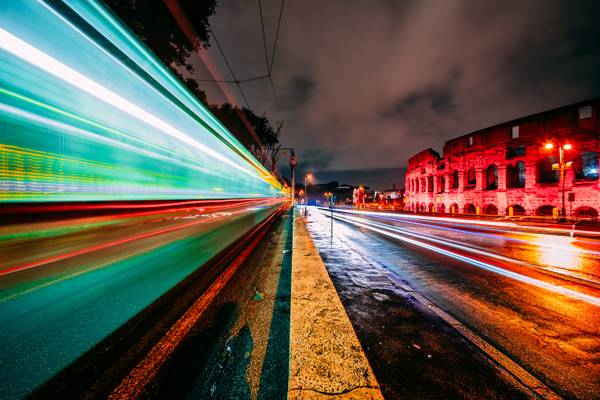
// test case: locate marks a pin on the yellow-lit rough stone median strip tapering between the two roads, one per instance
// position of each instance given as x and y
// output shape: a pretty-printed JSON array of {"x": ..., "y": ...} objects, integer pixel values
[{"x": 326, "y": 358}]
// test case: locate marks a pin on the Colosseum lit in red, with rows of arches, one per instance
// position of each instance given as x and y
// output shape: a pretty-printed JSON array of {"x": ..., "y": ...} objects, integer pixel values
[{"x": 514, "y": 168}]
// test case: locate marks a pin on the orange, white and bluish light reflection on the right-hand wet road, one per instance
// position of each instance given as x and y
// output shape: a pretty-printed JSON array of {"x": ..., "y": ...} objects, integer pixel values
[{"x": 533, "y": 293}]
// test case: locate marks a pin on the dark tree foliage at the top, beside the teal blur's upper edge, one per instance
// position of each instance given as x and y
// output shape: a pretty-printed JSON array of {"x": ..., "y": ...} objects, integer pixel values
[{"x": 152, "y": 22}]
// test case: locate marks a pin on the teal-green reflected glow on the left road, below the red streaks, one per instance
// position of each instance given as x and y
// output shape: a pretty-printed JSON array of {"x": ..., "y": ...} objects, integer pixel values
[{"x": 45, "y": 330}]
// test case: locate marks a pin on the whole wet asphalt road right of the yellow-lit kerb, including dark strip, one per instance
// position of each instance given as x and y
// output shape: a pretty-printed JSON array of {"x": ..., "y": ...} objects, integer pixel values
[{"x": 543, "y": 313}]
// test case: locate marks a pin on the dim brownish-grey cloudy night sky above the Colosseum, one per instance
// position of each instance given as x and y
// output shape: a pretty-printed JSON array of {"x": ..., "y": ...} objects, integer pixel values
[{"x": 363, "y": 85}]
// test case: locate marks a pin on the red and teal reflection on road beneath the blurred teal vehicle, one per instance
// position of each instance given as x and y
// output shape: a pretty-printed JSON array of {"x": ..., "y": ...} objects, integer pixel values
[{"x": 67, "y": 284}]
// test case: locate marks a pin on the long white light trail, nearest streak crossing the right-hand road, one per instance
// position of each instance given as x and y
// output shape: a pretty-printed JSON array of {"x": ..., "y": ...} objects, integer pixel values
[{"x": 480, "y": 264}]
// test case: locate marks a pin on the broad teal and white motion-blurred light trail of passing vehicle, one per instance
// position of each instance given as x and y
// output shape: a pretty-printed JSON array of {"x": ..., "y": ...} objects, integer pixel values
[{"x": 88, "y": 113}]
